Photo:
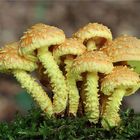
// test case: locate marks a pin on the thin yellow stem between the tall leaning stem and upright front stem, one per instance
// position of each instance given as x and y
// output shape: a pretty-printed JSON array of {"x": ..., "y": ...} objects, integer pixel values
[{"x": 73, "y": 93}]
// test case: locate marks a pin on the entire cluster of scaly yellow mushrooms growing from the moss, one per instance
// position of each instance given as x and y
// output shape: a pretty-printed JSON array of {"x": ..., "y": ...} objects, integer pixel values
[{"x": 87, "y": 74}]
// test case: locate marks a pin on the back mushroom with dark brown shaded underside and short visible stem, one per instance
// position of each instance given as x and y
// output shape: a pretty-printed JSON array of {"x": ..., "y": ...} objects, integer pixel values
[{"x": 93, "y": 35}]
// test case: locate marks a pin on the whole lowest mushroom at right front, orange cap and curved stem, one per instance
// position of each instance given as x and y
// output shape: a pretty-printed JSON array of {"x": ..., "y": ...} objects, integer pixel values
[{"x": 121, "y": 82}]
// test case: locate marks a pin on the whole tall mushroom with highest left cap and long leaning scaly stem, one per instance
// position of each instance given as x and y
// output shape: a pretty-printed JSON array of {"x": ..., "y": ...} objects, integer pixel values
[{"x": 41, "y": 37}]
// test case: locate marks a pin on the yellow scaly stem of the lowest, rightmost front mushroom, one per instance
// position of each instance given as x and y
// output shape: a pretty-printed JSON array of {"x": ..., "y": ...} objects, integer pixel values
[{"x": 110, "y": 115}]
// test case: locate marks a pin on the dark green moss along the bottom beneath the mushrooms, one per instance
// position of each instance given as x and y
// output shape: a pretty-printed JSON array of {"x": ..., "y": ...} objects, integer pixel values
[{"x": 35, "y": 126}]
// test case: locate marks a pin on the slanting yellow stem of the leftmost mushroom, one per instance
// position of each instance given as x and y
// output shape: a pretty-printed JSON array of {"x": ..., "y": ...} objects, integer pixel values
[{"x": 35, "y": 90}]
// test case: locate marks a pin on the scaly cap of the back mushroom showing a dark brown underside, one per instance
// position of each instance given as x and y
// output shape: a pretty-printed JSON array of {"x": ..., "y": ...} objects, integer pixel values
[{"x": 92, "y": 30}]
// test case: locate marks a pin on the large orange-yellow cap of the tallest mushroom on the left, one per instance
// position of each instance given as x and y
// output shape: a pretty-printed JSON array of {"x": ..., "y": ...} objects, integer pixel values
[{"x": 40, "y": 35}]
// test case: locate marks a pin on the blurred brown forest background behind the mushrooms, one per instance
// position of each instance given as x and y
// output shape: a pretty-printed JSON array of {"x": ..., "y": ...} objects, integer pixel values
[{"x": 121, "y": 16}]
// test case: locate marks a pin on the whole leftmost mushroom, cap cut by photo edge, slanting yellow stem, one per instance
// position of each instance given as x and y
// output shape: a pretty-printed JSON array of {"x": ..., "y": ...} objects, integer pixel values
[{"x": 18, "y": 65}]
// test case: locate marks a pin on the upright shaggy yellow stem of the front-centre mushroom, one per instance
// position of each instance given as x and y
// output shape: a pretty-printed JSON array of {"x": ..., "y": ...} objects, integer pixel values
[{"x": 91, "y": 104}]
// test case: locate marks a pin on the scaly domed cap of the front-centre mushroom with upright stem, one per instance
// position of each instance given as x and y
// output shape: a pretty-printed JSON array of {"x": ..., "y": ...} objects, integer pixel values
[{"x": 92, "y": 61}]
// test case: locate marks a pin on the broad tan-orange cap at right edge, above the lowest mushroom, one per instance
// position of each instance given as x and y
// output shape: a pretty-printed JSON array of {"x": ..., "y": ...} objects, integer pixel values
[{"x": 123, "y": 48}]
